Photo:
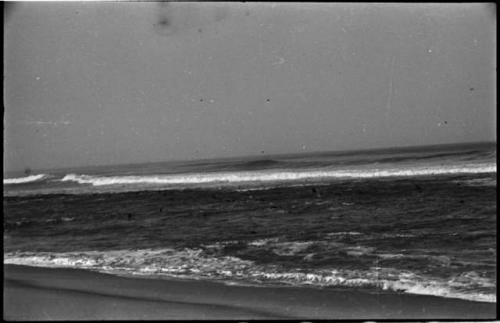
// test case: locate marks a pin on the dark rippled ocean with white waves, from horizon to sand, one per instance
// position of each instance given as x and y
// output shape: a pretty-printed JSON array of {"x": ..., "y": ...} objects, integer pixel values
[{"x": 418, "y": 220}]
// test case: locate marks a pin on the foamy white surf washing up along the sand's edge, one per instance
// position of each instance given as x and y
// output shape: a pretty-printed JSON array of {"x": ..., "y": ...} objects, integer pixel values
[{"x": 198, "y": 264}]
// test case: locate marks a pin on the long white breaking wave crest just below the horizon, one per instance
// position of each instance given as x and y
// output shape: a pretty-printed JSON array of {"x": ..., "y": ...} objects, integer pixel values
[{"x": 274, "y": 175}]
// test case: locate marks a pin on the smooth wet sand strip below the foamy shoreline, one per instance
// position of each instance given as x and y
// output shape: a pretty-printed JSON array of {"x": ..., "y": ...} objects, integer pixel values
[{"x": 35, "y": 293}]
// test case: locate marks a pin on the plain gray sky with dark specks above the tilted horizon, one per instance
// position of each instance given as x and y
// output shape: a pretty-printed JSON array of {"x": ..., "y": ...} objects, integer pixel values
[{"x": 102, "y": 83}]
